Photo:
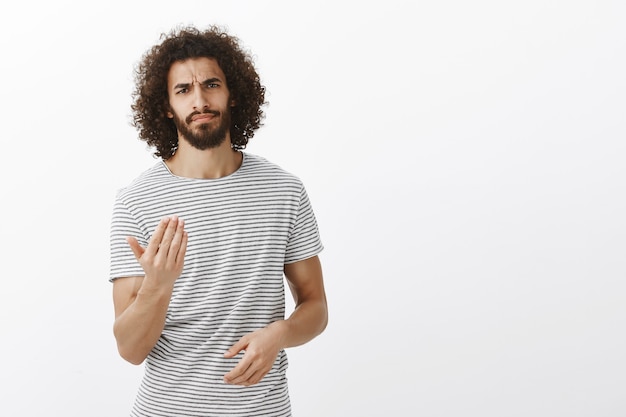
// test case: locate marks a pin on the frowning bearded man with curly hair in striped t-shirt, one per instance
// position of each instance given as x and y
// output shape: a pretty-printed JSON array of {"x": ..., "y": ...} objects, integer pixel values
[{"x": 200, "y": 242}]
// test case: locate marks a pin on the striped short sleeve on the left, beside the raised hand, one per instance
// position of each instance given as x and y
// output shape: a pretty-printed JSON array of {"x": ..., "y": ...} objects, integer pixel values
[{"x": 122, "y": 260}]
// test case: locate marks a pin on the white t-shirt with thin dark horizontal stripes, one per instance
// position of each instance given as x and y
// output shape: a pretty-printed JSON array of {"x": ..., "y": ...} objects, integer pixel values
[{"x": 242, "y": 229}]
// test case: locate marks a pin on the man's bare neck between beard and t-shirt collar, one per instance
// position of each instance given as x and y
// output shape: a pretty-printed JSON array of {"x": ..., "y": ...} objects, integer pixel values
[{"x": 190, "y": 162}]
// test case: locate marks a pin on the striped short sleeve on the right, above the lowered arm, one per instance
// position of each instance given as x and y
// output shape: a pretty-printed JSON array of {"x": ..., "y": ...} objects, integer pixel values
[{"x": 304, "y": 239}]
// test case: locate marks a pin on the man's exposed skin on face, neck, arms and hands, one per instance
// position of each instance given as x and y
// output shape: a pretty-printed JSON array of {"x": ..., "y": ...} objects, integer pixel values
[{"x": 141, "y": 302}]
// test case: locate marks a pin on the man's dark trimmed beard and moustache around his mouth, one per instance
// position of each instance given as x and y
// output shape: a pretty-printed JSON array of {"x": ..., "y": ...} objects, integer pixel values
[{"x": 204, "y": 136}]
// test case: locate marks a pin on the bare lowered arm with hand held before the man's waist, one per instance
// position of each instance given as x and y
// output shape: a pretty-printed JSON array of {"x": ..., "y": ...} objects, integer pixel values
[{"x": 308, "y": 320}]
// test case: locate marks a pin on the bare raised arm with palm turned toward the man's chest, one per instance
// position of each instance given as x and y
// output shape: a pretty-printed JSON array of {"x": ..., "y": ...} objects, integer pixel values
[{"x": 141, "y": 302}]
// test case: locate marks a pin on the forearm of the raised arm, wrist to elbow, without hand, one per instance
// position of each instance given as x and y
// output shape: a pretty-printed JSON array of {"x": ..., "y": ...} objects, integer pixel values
[{"x": 139, "y": 327}]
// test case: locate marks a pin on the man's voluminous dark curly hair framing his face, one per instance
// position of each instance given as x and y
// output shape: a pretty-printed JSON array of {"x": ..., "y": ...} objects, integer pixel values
[{"x": 150, "y": 97}]
